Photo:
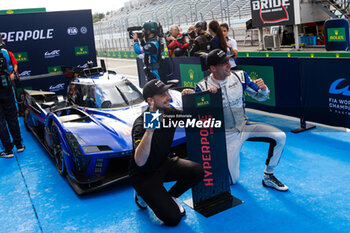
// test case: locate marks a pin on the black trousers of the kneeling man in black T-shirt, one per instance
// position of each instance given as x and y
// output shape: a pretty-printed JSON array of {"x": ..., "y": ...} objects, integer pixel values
[{"x": 150, "y": 187}]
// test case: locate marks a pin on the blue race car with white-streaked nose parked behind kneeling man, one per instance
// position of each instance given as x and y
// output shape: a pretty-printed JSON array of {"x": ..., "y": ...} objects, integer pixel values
[{"x": 88, "y": 133}]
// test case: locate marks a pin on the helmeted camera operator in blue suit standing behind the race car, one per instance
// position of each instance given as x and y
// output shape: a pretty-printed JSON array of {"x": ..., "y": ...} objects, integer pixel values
[{"x": 150, "y": 47}]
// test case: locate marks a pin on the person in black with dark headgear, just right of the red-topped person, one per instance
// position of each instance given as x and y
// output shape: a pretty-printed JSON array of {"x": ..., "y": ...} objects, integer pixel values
[{"x": 202, "y": 41}]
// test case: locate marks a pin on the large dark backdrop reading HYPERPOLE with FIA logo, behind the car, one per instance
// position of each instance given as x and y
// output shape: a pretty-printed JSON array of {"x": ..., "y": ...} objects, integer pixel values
[{"x": 43, "y": 42}]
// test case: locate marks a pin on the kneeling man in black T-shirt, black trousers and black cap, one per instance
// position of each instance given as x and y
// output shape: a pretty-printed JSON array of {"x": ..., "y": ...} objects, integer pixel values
[{"x": 151, "y": 166}]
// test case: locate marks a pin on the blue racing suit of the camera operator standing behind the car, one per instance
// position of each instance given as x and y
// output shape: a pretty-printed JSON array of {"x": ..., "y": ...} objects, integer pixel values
[{"x": 151, "y": 59}]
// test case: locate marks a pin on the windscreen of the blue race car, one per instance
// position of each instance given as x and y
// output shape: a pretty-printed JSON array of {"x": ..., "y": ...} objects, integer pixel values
[{"x": 105, "y": 94}]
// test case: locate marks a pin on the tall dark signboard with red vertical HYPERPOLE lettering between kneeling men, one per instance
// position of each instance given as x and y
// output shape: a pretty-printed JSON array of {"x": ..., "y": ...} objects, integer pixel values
[{"x": 207, "y": 146}]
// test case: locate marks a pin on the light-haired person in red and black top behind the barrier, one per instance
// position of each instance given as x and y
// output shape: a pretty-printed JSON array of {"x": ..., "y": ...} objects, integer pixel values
[{"x": 177, "y": 45}]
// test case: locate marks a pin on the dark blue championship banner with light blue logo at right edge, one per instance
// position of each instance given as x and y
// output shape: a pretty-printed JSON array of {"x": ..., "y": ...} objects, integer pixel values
[{"x": 326, "y": 84}]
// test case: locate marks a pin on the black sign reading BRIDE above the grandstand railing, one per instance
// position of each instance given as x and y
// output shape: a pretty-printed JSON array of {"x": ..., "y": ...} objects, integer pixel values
[{"x": 272, "y": 12}]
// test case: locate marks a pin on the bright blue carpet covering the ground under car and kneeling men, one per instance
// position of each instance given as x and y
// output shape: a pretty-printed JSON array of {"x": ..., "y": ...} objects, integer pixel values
[{"x": 315, "y": 165}]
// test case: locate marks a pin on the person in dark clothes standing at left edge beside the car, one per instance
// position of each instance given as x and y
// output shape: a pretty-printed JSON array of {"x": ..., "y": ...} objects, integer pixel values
[{"x": 8, "y": 110}]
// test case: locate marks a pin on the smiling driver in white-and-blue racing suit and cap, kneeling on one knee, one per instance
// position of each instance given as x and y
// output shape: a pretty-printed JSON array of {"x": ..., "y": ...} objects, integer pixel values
[{"x": 238, "y": 129}]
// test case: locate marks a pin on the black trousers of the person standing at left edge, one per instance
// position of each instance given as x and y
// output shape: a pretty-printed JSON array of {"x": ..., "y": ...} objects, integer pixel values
[{"x": 8, "y": 113}]
